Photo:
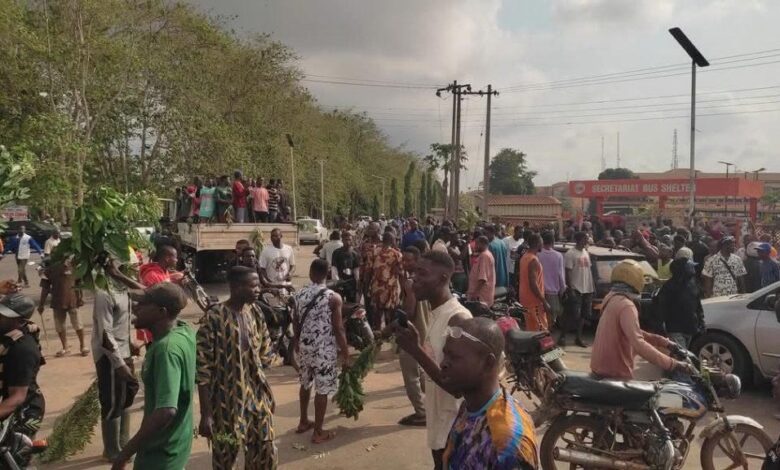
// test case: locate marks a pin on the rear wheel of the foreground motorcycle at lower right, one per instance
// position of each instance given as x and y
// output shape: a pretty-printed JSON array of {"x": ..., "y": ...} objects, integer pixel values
[{"x": 571, "y": 431}]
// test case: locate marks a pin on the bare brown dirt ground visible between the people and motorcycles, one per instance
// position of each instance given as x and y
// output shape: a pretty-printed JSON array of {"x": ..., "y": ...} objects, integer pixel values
[{"x": 373, "y": 441}]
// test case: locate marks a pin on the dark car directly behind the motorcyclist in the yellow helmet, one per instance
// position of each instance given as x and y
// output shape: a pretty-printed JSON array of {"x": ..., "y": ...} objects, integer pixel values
[{"x": 603, "y": 260}]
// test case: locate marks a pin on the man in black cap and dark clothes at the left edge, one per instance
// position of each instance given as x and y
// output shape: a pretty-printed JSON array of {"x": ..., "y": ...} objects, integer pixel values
[{"x": 20, "y": 359}]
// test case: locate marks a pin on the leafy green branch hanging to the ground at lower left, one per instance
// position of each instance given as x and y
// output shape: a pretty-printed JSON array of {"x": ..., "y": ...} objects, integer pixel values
[{"x": 74, "y": 429}]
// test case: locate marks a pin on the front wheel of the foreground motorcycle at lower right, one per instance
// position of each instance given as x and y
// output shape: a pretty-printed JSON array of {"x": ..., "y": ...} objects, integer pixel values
[{"x": 718, "y": 451}]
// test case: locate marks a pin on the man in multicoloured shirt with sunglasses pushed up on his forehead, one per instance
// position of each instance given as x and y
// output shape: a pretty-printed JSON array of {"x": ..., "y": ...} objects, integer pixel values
[{"x": 491, "y": 429}]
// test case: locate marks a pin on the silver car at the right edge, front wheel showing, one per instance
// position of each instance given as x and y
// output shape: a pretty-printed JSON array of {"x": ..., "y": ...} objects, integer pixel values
[{"x": 741, "y": 335}]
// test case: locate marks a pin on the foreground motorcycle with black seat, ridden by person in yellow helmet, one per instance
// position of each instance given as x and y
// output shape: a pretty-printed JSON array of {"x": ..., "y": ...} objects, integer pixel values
[{"x": 648, "y": 425}]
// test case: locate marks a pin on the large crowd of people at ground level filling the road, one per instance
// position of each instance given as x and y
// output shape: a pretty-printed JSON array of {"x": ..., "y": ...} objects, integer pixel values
[{"x": 414, "y": 280}]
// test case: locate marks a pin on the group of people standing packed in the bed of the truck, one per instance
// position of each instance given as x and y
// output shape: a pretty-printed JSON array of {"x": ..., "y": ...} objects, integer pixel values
[{"x": 238, "y": 200}]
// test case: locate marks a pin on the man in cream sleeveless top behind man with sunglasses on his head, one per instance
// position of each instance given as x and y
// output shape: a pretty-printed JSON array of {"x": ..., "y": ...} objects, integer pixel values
[{"x": 432, "y": 283}]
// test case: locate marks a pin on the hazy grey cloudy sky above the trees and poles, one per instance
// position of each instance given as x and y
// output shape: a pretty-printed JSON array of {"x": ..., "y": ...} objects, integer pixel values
[{"x": 542, "y": 57}]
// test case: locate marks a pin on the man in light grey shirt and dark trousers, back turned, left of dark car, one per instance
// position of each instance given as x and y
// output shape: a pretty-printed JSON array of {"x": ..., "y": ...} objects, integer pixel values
[{"x": 579, "y": 279}]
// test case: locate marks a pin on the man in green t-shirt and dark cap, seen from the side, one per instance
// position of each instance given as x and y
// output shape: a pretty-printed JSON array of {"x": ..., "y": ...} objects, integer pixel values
[{"x": 164, "y": 440}]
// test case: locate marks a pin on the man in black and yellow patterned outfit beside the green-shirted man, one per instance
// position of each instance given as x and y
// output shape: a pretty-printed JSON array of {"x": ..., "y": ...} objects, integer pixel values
[{"x": 236, "y": 403}]
